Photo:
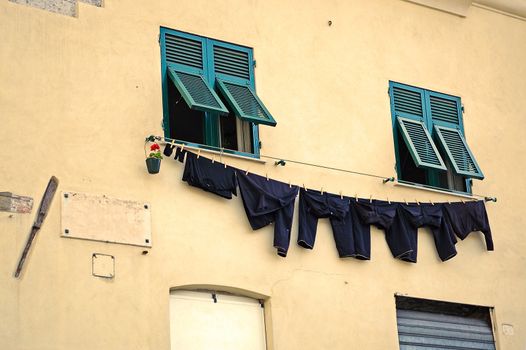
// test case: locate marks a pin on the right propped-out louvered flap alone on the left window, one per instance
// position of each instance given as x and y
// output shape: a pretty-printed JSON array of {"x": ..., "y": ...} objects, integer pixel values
[{"x": 245, "y": 103}]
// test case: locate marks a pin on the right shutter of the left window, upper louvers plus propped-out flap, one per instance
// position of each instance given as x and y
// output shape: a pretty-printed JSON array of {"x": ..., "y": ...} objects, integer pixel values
[{"x": 234, "y": 74}]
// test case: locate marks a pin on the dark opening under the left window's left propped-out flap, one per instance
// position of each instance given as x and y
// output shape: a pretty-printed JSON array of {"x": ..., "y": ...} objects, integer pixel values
[{"x": 185, "y": 124}]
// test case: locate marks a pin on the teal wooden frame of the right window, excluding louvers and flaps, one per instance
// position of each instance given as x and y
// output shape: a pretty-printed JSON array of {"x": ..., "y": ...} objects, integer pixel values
[{"x": 432, "y": 176}]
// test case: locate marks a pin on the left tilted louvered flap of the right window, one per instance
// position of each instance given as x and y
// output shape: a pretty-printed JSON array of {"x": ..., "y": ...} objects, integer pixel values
[{"x": 420, "y": 145}]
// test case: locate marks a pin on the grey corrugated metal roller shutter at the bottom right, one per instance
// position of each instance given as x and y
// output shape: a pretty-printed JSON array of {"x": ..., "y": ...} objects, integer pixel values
[{"x": 419, "y": 330}]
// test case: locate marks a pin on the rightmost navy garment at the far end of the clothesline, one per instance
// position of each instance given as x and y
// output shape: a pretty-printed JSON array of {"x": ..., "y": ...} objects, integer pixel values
[{"x": 468, "y": 217}]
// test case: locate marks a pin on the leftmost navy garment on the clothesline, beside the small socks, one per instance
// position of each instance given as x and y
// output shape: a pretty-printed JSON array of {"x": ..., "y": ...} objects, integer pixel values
[{"x": 210, "y": 176}]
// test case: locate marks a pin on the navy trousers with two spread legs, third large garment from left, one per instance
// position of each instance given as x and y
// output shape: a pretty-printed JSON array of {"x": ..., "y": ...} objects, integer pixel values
[{"x": 314, "y": 205}]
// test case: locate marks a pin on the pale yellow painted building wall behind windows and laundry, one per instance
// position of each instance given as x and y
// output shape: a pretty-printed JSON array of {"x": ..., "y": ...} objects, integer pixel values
[{"x": 78, "y": 96}]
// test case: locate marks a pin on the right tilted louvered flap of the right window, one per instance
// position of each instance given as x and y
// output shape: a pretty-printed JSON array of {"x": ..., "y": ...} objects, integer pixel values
[{"x": 458, "y": 152}]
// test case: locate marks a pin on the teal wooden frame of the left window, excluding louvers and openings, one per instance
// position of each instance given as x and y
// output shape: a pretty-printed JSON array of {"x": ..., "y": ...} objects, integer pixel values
[{"x": 211, "y": 130}]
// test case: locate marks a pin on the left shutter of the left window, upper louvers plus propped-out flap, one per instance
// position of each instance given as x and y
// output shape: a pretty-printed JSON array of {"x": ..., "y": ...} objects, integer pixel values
[{"x": 185, "y": 57}]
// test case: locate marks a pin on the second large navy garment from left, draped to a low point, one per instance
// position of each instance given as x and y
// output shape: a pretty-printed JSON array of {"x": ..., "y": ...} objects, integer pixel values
[{"x": 269, "y": 201}]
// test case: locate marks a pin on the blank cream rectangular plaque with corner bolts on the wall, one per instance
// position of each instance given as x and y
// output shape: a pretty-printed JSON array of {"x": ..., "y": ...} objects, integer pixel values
[{"x": 105, "y": 219}]
